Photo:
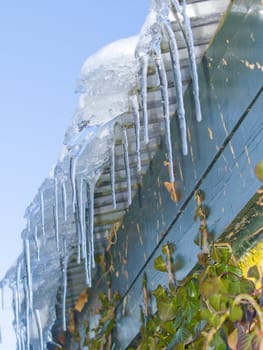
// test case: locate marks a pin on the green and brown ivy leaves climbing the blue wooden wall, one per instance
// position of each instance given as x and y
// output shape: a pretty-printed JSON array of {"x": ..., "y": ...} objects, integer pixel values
[{"x": 213, "y": 308}]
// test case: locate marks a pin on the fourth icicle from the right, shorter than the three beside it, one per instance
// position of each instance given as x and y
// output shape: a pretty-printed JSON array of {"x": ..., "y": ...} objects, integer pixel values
[{"x": 144, "y": 60}]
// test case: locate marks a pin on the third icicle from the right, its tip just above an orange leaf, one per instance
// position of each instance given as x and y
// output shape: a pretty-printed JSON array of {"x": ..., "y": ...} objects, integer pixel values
[{"x": 165, "y": 103}]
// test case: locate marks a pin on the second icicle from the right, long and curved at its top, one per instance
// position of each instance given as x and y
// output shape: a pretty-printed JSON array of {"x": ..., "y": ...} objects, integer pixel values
[{"x": 174, "y": 54}]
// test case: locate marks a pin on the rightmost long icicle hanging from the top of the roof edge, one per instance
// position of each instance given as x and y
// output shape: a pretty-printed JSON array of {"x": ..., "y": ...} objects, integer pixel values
[{"x": 192, "y": 60}]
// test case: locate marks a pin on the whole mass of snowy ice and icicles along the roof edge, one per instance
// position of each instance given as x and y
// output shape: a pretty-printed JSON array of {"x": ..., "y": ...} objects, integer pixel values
[{"x": 113, "y": 82}]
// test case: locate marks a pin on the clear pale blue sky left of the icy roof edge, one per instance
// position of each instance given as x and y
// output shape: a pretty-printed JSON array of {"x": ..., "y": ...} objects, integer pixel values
[{"x": 43, "y": 45}]
